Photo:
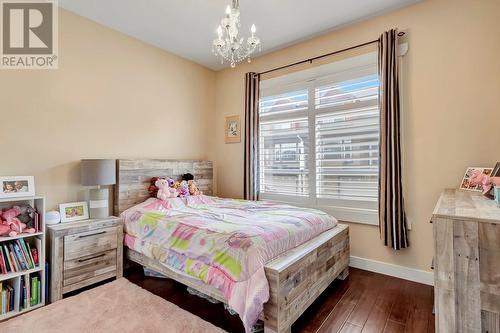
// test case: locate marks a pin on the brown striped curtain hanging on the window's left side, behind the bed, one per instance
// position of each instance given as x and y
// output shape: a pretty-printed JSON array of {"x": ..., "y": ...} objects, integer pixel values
[{"x": 251, "y": 176}]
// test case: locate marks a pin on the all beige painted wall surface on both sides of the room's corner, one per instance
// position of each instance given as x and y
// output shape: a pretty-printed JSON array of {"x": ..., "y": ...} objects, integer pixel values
[{"x": 114, "y": 96}]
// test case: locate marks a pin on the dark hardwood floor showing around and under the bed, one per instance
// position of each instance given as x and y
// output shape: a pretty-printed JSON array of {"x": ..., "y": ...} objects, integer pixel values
[{"x": 364, "y": 302}]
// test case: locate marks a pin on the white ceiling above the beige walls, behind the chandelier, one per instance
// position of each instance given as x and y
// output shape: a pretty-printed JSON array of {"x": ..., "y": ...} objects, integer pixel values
[{"x": 187, "y": 27}]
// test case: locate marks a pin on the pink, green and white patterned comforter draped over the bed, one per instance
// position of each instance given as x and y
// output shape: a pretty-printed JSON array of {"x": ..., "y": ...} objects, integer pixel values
[{"x": 223, "y": 242}]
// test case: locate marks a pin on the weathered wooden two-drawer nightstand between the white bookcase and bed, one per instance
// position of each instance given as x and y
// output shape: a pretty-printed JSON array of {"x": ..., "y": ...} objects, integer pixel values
[{"x": 83, "y": 253}]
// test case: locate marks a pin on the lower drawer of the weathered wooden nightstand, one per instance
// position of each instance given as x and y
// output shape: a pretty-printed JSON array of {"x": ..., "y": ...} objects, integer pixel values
[{"x": 88, "y": 267}]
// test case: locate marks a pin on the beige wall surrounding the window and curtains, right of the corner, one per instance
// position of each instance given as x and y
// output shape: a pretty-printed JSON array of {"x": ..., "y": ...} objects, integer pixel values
[{"x": 451, "y": 108}]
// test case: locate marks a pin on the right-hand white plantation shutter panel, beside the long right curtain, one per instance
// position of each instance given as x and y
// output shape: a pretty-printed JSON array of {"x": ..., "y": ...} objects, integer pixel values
[{"x": 347, "y": 139}]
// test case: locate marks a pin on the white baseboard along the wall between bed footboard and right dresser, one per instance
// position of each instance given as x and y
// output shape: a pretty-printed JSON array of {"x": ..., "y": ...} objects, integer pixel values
[{"x": 401, "y": 272}]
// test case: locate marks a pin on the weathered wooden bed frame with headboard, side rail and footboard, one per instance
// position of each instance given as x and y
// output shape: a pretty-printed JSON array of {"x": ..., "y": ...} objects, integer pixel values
[{"x": 295, "y": 279}]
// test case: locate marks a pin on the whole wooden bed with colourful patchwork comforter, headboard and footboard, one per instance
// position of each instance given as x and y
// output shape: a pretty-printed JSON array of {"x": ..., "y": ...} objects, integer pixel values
[{"x": 295, "y": 272}]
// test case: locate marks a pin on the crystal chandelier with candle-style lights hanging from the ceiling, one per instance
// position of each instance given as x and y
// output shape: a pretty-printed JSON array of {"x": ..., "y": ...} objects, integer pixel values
[{"x": 228, "y": 45}]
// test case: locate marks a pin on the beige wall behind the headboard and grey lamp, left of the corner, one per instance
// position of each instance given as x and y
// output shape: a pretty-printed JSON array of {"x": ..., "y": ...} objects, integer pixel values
[{"x": 112, "y": 96}]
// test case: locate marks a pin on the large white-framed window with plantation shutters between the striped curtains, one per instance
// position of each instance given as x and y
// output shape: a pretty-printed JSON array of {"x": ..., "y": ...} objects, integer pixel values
[{"x": 319, "y": 137}]
